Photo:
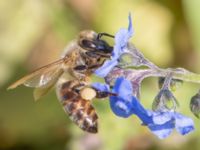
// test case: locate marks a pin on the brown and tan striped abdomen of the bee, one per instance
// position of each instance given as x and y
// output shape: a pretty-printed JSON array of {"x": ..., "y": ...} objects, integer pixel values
[{"x": 80, "y": 111}]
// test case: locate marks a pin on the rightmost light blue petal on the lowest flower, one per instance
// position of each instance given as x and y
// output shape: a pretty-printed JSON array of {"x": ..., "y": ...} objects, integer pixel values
[{"x": 184, "y": 125}]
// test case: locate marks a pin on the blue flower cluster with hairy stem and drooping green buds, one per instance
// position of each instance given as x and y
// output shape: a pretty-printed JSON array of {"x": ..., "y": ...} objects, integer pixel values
[{"x": 125, "y": 83}]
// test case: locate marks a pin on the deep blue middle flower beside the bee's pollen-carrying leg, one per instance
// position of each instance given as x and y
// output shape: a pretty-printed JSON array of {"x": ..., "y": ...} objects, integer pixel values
[{"x": 124, "y": 104}]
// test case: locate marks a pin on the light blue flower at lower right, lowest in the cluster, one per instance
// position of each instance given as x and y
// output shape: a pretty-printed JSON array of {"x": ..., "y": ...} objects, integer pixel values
[{"x": 163, "y": 123}]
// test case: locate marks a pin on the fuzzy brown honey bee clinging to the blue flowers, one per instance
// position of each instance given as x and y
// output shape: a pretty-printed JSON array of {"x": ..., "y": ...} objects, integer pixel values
[{"x": 70, "y": 75}]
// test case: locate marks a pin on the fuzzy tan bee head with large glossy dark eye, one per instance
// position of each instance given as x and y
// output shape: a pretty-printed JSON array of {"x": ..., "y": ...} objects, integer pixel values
[{"x": 91, "y": 41}]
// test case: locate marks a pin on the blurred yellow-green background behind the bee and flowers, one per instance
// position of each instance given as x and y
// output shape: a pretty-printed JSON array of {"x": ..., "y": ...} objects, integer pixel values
[{"x": 34, "y": 33}]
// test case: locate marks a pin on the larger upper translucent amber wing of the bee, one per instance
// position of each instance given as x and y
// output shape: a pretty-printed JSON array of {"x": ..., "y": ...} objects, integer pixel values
[{"x": 41, "y": 77}]
